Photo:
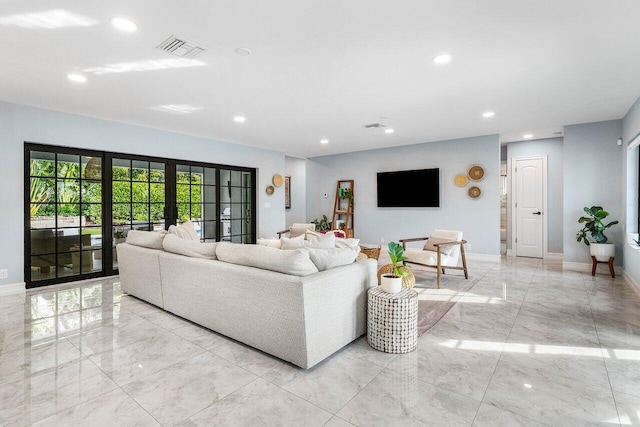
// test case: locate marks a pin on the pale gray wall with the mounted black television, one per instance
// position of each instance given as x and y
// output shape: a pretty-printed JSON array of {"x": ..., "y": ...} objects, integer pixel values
[{"x": 479, "y": 219}]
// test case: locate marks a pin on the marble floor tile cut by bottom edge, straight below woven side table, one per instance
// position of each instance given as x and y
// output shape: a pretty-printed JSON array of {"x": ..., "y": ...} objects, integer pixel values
[{"x": 396, "y": 399}]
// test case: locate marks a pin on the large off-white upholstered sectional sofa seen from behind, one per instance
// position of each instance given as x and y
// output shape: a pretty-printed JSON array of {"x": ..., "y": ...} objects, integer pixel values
[{"x": 301, "y": 318}]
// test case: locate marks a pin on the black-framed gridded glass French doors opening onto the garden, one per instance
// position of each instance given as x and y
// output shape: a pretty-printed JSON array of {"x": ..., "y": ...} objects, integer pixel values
[{"x": 80, "y": 204}]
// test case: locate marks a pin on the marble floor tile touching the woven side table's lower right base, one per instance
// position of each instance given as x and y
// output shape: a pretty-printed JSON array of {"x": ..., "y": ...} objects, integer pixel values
[{"x": 461, "y": 371}]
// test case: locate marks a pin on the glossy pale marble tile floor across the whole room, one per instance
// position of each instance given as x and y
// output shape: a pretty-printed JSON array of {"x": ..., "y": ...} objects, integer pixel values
[{"x": 528, "y": 345}]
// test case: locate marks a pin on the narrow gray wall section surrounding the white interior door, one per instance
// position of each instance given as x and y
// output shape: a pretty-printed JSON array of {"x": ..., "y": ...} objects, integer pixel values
[{"x": 553, "y": 149}]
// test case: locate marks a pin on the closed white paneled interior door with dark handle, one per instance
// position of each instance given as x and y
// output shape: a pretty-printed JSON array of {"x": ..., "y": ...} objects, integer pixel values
[{"x": 529, "y": 206}]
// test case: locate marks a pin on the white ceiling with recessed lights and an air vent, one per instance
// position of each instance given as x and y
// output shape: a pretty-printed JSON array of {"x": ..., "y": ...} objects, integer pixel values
[{"x": 323, "y": 69}]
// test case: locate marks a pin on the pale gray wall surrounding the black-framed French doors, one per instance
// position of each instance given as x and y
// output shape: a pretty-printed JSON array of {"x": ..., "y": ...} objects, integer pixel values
[{"x": 20, "y": 123}]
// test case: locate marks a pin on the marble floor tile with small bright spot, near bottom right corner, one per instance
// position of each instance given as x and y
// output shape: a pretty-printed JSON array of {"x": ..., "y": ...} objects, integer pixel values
[{"x": 550, "y": 399}]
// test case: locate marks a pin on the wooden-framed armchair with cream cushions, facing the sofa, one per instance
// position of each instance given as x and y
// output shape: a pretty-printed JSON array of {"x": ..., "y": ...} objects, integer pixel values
[{"x": 442, "y": 252}]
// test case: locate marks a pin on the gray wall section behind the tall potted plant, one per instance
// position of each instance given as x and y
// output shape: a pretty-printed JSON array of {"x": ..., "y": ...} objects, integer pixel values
[{"x": 592, "y": 176}]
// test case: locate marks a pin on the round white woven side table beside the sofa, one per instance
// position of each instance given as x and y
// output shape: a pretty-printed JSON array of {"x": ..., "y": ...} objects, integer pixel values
[{"x": 392, "y": 322}]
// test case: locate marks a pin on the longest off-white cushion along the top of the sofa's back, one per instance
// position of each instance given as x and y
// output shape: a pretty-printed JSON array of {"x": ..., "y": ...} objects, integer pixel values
[{"x": 294, "y": 262}]
